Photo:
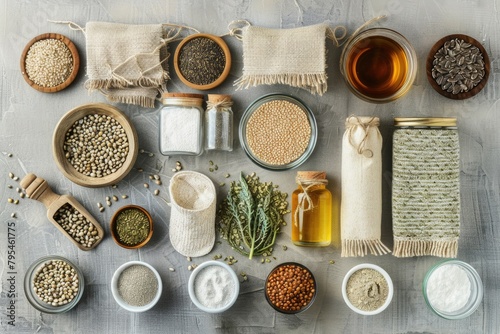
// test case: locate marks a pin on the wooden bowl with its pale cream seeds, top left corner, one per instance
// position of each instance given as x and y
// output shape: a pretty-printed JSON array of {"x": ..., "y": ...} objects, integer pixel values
[{"x": 50, "y": 62}]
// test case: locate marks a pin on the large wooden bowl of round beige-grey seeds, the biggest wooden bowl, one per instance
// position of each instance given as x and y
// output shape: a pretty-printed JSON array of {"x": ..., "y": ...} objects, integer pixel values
[{"x": 95, "y": 145}]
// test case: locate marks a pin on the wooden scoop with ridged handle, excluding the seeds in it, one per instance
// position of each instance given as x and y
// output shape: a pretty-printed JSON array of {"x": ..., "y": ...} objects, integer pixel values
[{"x": 38, "y": 189}]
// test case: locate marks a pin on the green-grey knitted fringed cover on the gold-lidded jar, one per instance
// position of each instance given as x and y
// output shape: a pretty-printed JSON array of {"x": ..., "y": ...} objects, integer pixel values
[{"x": 426, "y": 192}]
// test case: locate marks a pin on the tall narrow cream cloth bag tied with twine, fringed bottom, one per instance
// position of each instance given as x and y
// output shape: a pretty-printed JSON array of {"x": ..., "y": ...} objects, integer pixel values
[{"x": 361, "y": 205}]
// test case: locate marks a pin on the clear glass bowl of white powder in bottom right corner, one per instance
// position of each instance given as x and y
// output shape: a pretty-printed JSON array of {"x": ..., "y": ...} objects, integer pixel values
[{"x": 453, "y": 289}]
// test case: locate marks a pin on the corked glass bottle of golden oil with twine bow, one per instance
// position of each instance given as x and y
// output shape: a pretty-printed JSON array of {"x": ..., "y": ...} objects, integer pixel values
[{"x": 312, "y": 208}]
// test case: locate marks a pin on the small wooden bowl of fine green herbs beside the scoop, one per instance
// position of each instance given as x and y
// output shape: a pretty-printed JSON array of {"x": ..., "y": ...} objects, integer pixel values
[{"x": 131, "y": 227}]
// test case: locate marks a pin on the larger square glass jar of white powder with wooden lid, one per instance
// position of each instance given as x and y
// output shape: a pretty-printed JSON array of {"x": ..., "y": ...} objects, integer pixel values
[{"x": 181, "y": 128}]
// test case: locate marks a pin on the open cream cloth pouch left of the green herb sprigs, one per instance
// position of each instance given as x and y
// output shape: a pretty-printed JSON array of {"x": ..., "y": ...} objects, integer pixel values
[{"x": 192, "y": 213}]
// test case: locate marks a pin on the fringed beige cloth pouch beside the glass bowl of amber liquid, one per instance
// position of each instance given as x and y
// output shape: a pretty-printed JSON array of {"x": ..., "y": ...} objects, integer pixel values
[{"x": 294, "y": 57}]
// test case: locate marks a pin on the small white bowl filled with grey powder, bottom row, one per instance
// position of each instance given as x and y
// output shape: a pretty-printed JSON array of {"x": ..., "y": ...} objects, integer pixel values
[{"x": 136, "y": 286}]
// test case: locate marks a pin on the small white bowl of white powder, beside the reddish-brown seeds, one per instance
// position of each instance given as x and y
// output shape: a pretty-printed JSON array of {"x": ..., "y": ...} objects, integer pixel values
[{"x": 213, "y": 287}]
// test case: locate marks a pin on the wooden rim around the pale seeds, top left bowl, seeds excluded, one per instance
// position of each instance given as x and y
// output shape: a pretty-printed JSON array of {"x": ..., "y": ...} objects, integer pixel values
[{"x": 74, "y": 53}]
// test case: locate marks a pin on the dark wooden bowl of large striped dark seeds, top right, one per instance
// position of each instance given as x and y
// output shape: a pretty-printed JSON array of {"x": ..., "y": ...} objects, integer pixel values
[{"x": 458, "y": 66}]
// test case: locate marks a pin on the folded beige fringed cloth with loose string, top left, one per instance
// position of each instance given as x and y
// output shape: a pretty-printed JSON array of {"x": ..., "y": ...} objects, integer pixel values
[{"x": 124, "y": 62}]
